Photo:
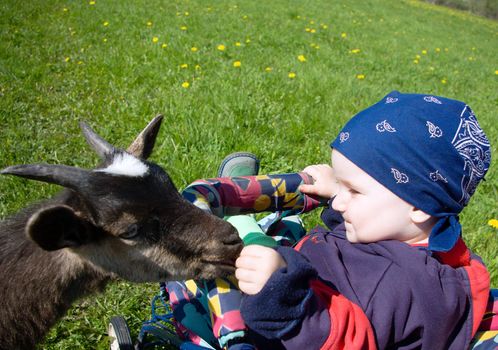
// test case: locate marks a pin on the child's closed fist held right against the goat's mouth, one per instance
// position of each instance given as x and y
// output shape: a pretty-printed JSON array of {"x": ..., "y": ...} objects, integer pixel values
[{"x": 255, "y": 265}]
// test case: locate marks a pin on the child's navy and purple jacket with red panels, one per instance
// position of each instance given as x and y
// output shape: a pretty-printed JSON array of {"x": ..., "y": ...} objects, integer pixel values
[{"x": 334, "y": 294}]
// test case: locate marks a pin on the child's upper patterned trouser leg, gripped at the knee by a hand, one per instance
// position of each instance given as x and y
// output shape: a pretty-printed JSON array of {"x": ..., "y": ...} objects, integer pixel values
[{"x": 227, "y": 196}]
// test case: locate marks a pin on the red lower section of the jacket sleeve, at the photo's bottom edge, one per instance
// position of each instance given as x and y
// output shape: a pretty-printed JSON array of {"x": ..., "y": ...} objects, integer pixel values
[{"x": 349, "y": 326}]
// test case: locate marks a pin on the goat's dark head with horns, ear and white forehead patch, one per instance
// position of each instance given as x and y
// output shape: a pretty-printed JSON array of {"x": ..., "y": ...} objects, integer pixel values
[{"x": 127, "y": 217}]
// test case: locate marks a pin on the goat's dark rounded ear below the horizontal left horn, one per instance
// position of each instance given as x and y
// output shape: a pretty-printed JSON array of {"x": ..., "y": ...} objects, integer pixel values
[{"x": 58, "y": 227}]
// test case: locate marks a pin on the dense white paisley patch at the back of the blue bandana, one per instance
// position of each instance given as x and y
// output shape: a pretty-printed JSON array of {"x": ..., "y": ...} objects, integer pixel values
[{"x": 473, "y": 146}]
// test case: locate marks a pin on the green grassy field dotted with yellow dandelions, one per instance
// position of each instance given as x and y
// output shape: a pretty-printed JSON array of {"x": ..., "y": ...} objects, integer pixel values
[{"x": 276, "y": 78}]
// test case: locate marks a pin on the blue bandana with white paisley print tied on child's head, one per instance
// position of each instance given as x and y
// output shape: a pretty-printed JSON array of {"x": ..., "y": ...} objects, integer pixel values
[{"x": 428, "y": 150}]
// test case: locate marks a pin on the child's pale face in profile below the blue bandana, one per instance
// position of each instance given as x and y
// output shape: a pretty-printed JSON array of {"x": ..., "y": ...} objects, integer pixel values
[{"x": 371, "y": 212}]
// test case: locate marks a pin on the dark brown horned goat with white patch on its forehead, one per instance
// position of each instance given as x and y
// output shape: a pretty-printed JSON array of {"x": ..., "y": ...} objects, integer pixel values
[{"x": 124, "y": 219}]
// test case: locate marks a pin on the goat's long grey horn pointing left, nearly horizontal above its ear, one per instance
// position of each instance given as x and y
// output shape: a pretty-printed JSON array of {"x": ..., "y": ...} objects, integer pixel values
[{"x": 63, "y": 175}]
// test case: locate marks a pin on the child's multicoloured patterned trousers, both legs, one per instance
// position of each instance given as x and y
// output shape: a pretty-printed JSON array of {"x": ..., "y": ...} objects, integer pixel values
[{"x": 218, "y": 301}]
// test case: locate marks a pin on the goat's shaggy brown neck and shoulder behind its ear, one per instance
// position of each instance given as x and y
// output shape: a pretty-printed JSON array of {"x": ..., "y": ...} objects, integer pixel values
[{"x": 37, "y": 287}]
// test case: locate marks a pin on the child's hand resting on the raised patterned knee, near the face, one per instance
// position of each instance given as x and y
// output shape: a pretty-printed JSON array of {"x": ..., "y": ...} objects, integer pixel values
[{"x": 325, "y": 184}]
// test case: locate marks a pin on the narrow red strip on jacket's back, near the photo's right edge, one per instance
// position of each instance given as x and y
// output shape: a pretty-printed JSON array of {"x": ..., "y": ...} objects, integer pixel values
[{"x": 479, "y": 286}]
